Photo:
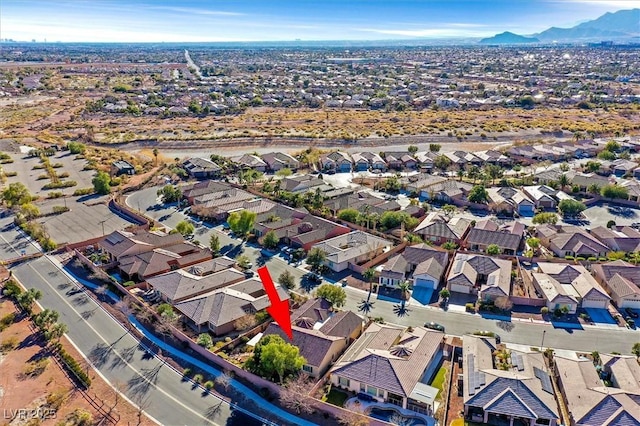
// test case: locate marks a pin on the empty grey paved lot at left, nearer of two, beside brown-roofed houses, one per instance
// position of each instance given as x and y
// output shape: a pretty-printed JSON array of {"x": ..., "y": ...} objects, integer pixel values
[{"x": 89, "y": 217}]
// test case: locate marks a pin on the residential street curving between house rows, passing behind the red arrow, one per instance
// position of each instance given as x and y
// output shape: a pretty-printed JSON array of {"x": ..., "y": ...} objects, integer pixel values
[{"x": 456, "y": 323}]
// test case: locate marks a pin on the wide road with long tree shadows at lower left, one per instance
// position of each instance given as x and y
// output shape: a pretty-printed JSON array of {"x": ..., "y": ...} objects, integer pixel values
[{"x": 118, "y": 356}]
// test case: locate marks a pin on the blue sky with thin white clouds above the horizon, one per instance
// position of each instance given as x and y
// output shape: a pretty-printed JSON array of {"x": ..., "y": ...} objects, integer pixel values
[{"x": 277, "y": 20}]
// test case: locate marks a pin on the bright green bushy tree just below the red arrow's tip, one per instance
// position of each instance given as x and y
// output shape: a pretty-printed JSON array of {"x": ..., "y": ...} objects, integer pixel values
[{"x": 273, "y": 357}]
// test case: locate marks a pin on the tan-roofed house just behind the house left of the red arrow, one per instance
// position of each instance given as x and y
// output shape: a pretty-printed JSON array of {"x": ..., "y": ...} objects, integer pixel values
[{"x": 179, "y": 285}]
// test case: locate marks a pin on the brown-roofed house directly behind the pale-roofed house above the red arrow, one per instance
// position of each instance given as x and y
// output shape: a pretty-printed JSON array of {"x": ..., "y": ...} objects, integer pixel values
[{"x": 297, "y": 228}]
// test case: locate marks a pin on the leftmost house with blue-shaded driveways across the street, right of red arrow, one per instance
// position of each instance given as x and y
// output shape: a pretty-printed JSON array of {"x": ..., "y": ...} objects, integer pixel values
[{"x": 420, "y": 264}]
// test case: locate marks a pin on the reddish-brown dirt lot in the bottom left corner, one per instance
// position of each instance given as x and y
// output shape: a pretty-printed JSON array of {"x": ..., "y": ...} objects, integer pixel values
[{"x": 17, "y": 392}]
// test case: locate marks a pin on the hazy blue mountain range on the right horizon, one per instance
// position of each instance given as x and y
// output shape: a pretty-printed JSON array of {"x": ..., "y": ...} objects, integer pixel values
[{"x": 623, "y": 24}]
